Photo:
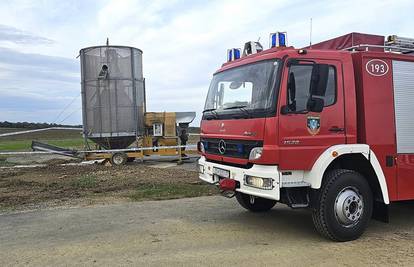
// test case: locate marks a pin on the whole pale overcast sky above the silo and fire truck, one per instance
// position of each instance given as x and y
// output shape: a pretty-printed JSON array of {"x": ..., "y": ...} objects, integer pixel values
[{"x": 184, "y": 42}]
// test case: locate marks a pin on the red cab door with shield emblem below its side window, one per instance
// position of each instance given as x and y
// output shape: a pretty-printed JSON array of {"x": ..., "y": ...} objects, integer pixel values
[{"x": 304, "y": 131}]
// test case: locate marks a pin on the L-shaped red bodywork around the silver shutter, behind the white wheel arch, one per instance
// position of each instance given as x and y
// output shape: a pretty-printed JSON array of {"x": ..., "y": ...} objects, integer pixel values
[{"x": 376, "y": 121}]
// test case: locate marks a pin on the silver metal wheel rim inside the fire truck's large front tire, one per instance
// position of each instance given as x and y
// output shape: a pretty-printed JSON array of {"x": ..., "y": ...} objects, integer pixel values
[{"x": 349, "y": 207}]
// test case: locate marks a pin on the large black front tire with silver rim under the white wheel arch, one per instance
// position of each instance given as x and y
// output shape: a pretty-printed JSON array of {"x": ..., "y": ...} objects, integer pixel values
[{"x": 343, "y": 206}]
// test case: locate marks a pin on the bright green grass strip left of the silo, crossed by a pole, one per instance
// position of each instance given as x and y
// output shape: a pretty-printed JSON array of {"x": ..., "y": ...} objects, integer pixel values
[{"x": 25, "y": 145}]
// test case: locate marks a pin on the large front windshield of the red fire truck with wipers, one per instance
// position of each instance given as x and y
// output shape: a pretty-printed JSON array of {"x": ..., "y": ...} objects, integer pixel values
[{"x": 246, "y": 89}]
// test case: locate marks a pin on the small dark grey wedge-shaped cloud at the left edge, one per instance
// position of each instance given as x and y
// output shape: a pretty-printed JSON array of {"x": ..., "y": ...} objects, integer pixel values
[{"x": 14, "y": 35}]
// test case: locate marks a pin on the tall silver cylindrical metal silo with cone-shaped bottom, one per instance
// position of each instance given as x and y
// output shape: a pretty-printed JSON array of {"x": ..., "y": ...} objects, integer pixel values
[{"x": 113, "y": 95}]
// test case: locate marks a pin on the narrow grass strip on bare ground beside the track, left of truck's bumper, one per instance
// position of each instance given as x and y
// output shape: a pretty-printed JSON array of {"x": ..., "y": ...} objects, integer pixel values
[{"x": 171, "y": 191}]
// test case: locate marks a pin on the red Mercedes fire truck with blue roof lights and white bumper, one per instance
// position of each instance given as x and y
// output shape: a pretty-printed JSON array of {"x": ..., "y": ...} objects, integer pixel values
[{"x": 328, "y": 127}]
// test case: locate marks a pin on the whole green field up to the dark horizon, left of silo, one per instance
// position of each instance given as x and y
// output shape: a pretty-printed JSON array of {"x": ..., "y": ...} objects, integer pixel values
[{"x": 62, "y": 138}]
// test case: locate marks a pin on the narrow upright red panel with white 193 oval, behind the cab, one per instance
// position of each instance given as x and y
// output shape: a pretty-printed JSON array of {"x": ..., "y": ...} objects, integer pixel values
[{"x": 375, "y": 109}]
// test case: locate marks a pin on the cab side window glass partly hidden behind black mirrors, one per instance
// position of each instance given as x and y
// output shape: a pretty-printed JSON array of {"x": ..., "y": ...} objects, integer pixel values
[{"x": 299, "y": 84}]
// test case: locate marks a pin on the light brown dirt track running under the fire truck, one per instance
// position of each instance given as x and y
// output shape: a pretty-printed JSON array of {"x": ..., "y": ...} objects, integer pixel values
[{"x": 199, "y": 231}]
